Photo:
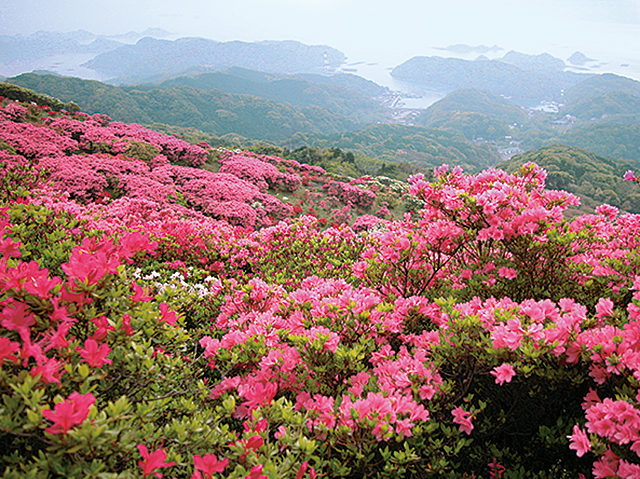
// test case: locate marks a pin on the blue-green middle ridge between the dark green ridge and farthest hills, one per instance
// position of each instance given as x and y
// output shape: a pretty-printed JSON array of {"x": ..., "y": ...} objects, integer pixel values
[{"x": 295, "y": 91}]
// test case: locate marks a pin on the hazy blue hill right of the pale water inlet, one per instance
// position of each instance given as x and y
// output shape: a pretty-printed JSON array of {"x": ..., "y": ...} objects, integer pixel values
[{"x": 525, "y": 79}]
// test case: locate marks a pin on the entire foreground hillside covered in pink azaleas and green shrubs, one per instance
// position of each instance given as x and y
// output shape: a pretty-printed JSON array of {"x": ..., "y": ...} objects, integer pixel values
[{"x": 166, "y": 311}]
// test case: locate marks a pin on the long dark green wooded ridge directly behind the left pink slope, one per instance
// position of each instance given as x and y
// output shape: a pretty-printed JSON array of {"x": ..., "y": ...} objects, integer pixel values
[{"x": 212, "y": 111}]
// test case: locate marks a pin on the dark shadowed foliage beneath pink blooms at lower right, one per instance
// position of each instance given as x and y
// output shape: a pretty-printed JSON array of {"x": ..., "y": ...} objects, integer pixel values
[{"x": 522, "y": 425}]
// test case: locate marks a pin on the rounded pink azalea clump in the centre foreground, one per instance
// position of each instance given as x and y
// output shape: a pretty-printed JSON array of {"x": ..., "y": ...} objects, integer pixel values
[{"x": 289, "y": 346}]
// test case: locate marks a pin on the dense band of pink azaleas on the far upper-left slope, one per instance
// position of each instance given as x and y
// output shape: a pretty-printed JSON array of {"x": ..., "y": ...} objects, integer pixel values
[{"x": 86, "y": 160}]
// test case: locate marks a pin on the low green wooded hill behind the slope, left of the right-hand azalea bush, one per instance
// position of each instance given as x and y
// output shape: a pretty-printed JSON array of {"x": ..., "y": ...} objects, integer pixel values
[{"x": 419, "y": 146}]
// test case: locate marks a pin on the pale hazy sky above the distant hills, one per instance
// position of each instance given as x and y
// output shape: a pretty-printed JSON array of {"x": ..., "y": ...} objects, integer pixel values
[{"x": 369, "y": 30}]
